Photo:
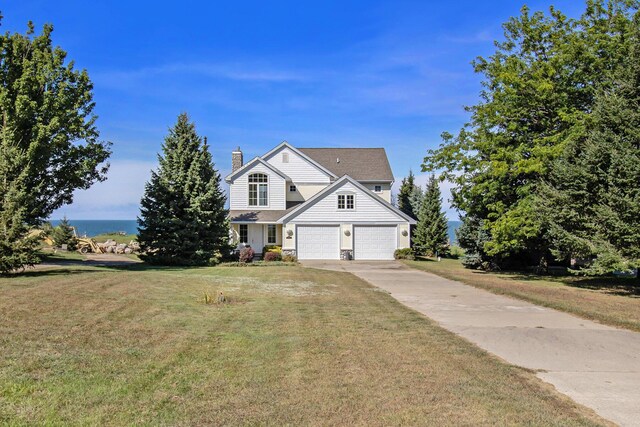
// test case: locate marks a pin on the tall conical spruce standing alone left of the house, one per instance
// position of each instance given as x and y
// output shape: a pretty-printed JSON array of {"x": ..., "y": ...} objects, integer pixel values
[{"x": 183, "y": 220}]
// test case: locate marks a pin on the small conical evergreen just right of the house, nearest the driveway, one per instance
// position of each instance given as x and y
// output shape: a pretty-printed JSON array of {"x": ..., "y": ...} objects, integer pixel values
[{"x": 431, "y": 236}]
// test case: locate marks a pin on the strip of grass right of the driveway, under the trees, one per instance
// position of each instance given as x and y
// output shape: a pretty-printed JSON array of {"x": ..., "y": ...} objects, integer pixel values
[{"x": 610, "y": 301}]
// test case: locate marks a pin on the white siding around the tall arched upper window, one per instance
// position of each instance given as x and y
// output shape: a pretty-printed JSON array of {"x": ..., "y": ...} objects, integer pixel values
[{"x": 239, "y": 190}]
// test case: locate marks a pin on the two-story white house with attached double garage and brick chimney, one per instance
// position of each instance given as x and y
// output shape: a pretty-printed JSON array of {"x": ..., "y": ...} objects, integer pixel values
[{"x": 317, "y": 203}]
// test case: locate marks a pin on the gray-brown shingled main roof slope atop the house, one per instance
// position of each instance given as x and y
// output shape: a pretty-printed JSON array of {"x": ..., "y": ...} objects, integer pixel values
[{"x": 362, "y": 164}]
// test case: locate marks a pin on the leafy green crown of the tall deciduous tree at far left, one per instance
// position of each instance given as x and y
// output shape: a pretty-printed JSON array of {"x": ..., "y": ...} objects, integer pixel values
[{"x": 46, "y": 109}]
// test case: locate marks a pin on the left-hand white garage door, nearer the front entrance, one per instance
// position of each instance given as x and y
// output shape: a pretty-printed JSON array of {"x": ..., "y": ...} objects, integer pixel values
[{"x": 318, "y": 242}]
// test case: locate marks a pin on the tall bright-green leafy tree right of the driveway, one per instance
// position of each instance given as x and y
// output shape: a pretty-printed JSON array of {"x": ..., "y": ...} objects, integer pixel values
[{"x": 538, "y": 93}]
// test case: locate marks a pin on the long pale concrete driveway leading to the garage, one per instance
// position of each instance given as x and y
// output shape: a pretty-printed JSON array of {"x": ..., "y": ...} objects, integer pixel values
[{"x": 596, "y": 365}]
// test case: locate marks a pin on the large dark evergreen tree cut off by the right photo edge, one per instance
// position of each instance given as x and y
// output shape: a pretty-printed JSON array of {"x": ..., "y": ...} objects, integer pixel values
[{"x": 593, "y": 199}]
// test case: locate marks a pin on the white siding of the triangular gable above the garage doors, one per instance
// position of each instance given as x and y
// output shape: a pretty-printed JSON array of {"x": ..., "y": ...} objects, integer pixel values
[{"x": 367, "y": 210}]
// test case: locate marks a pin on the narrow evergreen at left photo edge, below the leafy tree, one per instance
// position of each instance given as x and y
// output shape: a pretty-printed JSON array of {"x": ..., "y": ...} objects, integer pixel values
[{"x": 17, "y": 248}]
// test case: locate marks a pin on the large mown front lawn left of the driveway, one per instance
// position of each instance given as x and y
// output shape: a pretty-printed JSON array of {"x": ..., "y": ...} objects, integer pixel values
[{"x": 98, "y": 346}]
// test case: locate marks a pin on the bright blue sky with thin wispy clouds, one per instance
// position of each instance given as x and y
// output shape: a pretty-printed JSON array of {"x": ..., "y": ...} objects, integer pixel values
[{"x": 391, "y": 74}]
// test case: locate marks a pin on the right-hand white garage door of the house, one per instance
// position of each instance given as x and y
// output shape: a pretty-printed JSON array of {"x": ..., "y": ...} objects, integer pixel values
[{"x": 374, "y": 241}]
